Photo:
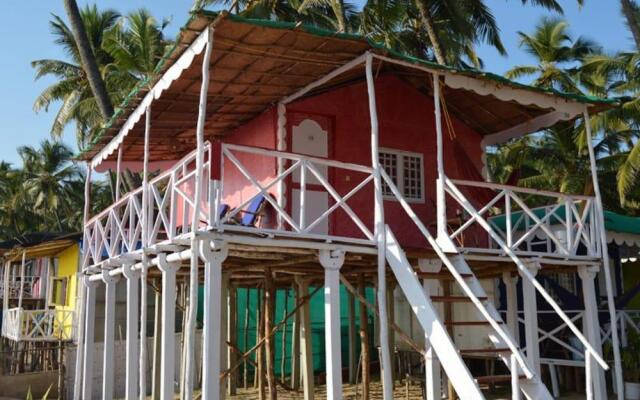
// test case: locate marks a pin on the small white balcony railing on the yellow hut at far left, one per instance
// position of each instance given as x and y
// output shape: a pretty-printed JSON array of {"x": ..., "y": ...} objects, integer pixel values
[{"x": 38, "y": 325}]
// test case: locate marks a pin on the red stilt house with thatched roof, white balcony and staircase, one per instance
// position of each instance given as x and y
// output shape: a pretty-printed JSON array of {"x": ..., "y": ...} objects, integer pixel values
[{"x": 277, "y": 155}]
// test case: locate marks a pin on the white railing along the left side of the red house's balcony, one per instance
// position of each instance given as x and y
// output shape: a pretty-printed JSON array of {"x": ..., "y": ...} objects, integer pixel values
[{"x": 118, "y": 229}]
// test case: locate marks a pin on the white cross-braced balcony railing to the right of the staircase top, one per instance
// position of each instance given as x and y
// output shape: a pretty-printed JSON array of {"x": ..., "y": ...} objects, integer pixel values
[{"x": 566, "y": 227}]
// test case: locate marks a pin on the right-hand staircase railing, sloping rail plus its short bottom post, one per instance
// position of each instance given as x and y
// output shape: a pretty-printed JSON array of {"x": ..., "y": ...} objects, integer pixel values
[{"x": 590, "y": 352}]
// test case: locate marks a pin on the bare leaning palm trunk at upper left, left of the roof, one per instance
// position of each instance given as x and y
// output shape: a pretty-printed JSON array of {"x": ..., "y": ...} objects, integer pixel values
[{"x": 89, "y": 63}]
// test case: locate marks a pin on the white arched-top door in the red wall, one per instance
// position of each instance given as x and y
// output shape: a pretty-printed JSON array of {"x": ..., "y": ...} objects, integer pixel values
[{"x": 309, "y": 138}]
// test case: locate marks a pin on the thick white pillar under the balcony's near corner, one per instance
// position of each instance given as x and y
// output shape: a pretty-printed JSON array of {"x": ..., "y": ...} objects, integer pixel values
[{"x": 213, "y": 259}]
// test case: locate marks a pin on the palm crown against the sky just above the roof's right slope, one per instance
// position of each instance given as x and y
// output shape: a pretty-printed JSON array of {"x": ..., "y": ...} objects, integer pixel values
[{"x": 558, "y": 56}]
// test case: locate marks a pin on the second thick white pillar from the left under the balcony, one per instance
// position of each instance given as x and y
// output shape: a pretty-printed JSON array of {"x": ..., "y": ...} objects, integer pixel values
[{"x": 109, "y": 333}]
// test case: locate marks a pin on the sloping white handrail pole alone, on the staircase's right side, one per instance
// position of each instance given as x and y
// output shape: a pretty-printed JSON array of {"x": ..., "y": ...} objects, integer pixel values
[{"x": 462, "y": 200}]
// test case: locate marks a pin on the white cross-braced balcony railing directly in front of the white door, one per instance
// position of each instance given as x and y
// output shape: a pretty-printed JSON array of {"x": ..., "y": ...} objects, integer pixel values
[{"x": 307, "y": 172}]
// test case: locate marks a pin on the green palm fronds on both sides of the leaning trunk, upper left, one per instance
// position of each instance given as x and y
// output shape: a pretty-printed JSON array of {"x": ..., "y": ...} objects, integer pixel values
[{"x": 127, "y": 49}]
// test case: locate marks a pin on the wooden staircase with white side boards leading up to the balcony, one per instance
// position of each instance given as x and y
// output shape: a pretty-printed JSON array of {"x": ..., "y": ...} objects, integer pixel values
[{"x": 489, "y": 322}]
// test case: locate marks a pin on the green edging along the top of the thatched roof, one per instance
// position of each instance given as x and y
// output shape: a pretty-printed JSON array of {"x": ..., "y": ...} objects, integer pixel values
[{"x": 314, "y": 30}]
